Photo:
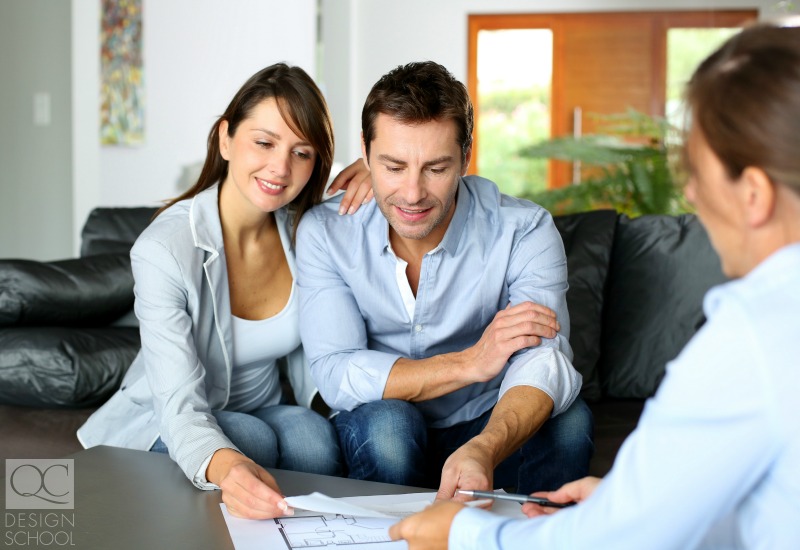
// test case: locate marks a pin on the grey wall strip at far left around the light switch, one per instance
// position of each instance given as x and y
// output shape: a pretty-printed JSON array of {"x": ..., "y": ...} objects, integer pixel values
[{"x": 35, "y": 158}]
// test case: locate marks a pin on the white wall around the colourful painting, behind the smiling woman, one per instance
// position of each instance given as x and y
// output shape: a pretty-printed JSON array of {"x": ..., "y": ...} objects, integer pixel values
[{"x": 197, "y": 53}]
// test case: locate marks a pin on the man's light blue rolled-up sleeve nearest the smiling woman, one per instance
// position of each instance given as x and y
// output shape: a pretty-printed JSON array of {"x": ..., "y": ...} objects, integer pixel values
[{"x": 332, "y": 328}]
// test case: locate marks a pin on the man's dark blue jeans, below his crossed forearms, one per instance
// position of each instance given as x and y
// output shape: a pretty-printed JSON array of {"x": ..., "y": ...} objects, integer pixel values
[{"x": 389, "y": 441}]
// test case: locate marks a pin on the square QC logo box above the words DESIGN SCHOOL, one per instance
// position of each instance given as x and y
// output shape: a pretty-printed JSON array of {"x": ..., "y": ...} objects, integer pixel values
[{"x": 37, "y": 484}]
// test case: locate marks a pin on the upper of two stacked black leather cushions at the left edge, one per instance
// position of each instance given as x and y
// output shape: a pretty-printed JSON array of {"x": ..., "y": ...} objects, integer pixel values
[{"x": 83, "y": 291}]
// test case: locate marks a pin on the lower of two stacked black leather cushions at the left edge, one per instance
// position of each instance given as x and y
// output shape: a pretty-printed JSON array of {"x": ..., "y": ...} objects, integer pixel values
[{"x": 63, "y": 367}]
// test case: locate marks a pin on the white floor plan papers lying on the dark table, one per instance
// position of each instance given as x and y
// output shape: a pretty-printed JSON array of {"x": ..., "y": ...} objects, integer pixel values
[{"x": 335, "y": 522}]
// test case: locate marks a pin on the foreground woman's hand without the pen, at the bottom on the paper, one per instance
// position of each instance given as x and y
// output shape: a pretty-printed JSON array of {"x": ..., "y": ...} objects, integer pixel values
[{"x": 429, "y": 529}]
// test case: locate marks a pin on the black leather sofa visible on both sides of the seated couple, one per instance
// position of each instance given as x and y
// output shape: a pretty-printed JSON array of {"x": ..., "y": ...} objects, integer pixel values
[{"x": 66, "y": 339}]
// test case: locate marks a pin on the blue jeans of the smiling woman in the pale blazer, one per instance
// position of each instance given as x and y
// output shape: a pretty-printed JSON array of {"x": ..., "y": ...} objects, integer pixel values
[{"x": 281, "y": 436}]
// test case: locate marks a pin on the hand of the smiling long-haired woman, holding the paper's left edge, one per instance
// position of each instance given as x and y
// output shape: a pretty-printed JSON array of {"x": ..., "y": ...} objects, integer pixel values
[{"x": 248, "y": 490}]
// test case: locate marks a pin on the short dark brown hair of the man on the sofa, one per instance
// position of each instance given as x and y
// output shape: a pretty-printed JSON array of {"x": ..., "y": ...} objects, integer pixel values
[{"x": 419, "y": 92}]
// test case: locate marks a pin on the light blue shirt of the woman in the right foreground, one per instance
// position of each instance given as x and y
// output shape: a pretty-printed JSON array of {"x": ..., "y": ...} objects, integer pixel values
[{"x": 715, "y": 459}]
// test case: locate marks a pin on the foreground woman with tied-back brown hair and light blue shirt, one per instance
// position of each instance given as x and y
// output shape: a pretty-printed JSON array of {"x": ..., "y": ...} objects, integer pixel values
[{"x": 714, "y": 460}]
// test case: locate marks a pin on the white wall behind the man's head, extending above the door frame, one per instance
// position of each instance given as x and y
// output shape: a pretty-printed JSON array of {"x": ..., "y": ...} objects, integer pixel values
[{"x": 381, "y": 34}]
